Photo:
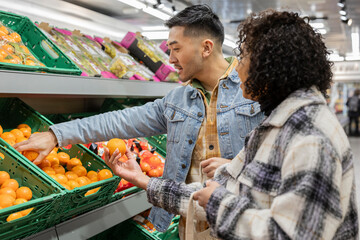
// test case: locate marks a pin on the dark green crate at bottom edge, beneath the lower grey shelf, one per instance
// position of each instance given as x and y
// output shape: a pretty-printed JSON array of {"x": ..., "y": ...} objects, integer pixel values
[{"x": 130, "y": 230}]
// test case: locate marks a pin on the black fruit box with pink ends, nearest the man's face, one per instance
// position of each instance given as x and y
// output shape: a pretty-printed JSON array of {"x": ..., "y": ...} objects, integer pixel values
[{"x": 160, "y": 69}]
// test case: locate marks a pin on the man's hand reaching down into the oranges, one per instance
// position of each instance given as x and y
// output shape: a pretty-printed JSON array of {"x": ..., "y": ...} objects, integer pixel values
[{"x": 42, "y": 143}]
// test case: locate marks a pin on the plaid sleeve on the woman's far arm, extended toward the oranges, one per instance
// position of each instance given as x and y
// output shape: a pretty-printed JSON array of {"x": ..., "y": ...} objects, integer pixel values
[{"x": 173, "y": 196}]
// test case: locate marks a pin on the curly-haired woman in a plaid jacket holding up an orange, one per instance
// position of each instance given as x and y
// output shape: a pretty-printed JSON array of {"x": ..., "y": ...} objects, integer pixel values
[{"x": 294, "y": 179}]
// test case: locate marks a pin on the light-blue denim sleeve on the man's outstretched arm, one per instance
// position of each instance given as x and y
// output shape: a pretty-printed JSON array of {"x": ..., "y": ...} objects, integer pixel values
[{"x": 143, "y": 121}]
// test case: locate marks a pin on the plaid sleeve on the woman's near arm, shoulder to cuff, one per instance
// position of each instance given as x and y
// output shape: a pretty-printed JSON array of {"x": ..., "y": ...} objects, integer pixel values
[{"x": 315, "y": 196}]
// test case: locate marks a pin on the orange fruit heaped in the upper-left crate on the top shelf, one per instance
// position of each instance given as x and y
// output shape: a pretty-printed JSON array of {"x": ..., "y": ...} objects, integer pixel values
[{"x": 13, "y": 50}]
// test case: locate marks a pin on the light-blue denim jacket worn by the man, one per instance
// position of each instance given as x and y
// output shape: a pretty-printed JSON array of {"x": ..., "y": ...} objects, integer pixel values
[{"x": 179, "y": 114}]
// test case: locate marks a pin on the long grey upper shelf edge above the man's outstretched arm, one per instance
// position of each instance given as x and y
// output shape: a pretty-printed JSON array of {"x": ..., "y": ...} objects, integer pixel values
[{"x": 26, "y": 84}]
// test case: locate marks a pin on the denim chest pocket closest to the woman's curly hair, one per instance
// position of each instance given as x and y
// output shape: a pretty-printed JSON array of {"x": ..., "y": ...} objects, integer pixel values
[{"x": 248, "y": 117}]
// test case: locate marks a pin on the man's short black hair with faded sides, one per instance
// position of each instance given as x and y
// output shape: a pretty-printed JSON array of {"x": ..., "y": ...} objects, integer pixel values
[{"x": 198, "y": 20}]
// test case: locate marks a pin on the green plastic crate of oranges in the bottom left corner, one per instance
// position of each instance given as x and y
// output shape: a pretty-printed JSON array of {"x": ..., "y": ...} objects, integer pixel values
[{"x": 45, "y": 201}]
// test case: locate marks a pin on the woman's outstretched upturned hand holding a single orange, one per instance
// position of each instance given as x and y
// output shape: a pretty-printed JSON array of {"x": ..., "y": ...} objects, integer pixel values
[{"x": 129, "y": 170}]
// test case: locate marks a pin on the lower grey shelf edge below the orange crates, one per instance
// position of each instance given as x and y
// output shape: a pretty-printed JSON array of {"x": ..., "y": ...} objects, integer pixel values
[{"x": 98, "y": 220}]
